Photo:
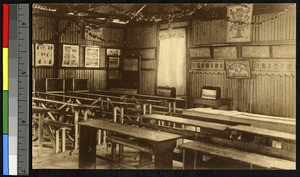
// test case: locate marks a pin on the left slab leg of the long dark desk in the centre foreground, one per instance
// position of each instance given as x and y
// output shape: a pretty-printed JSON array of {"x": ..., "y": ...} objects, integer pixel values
[{"x": 87, "y": 147}]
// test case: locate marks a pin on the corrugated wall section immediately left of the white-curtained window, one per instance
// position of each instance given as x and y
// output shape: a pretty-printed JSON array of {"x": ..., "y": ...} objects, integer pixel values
[{"x": 141, "y": 41}]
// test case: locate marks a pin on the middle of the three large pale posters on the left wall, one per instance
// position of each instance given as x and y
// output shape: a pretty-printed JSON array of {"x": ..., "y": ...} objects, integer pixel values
[{"x": 70, "y": 56}]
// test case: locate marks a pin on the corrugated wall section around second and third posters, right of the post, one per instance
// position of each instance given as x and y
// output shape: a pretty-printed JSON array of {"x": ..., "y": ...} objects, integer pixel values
[{"x": 112, "y": 38}]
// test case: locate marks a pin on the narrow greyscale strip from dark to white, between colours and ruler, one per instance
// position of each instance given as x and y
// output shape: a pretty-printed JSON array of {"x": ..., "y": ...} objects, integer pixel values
[{"x": 13, "y": 90}]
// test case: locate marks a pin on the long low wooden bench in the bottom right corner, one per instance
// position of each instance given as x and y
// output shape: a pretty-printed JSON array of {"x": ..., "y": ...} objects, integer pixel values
[{"x": 193, "y": 154}]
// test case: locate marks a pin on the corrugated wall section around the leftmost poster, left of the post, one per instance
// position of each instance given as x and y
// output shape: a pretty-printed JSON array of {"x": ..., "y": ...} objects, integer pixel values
[{"x": 43, "y": 31}]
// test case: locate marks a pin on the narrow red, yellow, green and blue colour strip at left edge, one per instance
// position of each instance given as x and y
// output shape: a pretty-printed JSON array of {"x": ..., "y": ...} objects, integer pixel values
[{"x": 5, "y": 100}]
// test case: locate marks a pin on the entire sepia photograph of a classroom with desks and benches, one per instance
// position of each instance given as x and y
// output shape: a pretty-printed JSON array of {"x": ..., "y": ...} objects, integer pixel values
[{"x": 164, "y": 86}]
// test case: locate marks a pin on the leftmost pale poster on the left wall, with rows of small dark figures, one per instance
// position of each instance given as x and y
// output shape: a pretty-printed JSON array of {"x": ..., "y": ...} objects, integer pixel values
[{"x": 44, "y": 54}]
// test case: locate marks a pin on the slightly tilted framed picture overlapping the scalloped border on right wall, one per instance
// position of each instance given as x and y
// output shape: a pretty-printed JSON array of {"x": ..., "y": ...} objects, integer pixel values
[{"x": 238, "y": 69}]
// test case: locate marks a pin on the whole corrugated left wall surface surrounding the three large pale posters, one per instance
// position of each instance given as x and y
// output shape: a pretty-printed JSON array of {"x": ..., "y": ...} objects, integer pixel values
[{"x": 44, "y": 32}]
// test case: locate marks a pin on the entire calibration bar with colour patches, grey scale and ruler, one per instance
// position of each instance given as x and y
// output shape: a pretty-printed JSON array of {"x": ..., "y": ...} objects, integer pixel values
[{"x": 16, "y": 100}]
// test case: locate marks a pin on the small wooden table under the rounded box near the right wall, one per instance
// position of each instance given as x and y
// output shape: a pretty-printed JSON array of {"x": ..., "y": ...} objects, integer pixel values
[{"x": 213, "y": 103}]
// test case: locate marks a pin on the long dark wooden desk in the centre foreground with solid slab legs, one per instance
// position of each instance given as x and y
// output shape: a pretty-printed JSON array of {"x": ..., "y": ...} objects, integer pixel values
[{"x": 161, "y": 143}]
